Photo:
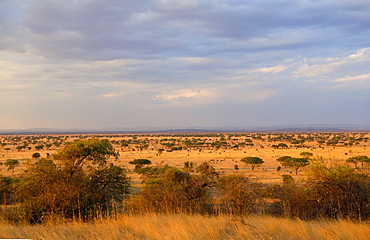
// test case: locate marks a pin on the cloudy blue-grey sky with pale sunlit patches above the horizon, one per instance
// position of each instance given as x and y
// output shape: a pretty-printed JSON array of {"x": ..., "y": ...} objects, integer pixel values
[{"x": 162, "y": 63}]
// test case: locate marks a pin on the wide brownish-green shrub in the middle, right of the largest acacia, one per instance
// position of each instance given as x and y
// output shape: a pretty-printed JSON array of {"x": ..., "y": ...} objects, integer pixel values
[{"x": 172, "y": 191}]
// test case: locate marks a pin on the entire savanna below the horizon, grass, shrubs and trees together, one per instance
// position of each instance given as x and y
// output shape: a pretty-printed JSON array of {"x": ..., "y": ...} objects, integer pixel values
[{"x": 281, "y": 185}]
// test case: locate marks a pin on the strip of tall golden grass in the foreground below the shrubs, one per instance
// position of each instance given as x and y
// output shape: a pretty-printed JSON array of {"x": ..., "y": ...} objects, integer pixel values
[{"x": 180, "y": 226}]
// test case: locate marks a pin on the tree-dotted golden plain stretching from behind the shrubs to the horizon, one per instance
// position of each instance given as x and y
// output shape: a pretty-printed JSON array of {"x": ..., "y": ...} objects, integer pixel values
[{"x": 223, "y": 150}]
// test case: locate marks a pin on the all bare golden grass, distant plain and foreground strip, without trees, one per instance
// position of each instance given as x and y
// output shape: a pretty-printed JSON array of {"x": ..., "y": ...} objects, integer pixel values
[{"x": 194, "y": 226}]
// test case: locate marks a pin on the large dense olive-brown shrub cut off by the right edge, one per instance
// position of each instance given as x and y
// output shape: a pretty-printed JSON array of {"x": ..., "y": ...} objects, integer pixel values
[{"x": 340, "y": 192}]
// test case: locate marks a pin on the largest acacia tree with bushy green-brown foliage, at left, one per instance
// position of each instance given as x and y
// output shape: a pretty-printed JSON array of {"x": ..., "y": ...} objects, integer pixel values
[{"x": 67, "y": 188}]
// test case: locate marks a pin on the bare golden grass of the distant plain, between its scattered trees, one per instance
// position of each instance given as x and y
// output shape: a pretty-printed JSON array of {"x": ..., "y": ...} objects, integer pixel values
[{"x": 224, "y": 158}]
